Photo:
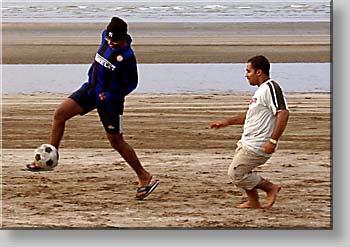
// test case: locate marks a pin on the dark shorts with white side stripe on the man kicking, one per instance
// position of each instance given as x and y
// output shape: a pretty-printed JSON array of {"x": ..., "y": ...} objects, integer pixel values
[{"x": 111, "y": 113}]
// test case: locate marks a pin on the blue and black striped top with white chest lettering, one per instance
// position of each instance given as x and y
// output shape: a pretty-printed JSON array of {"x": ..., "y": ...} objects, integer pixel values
[{"x": 114, "y": 72}]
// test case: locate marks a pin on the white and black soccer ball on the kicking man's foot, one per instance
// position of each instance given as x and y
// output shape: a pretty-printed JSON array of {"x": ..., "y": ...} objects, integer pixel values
[{"x": 46, "y": 156}]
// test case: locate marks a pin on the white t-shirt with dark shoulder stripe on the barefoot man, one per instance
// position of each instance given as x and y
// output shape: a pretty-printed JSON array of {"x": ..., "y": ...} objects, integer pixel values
[{"x": 260, "y": 120}]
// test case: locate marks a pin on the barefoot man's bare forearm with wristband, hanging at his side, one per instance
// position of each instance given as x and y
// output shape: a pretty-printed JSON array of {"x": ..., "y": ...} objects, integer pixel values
[{"x": 281, "y": 123}]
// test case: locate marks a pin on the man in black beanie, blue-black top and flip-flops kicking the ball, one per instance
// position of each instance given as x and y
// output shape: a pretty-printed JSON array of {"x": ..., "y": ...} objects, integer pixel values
[{"x": 112, "y": 76}]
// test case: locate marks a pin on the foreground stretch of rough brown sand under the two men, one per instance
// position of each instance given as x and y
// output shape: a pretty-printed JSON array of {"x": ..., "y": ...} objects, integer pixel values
[{"x": 94, "y": 187}]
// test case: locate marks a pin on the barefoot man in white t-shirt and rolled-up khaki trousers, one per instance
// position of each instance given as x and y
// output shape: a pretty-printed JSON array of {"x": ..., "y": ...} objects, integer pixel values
[{"x": 264, "y": 123}]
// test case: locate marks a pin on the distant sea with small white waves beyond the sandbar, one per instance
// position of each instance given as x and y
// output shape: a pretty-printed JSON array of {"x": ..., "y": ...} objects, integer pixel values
[{"x": 167, "y": 11}]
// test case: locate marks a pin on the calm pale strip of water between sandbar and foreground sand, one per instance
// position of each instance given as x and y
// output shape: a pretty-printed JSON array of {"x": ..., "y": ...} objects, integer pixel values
[{"x": 168, "y": 78}]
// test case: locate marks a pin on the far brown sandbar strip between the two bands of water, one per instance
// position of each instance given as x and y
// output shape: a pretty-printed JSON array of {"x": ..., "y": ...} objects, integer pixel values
[{"x": 67, "y": 43}]
